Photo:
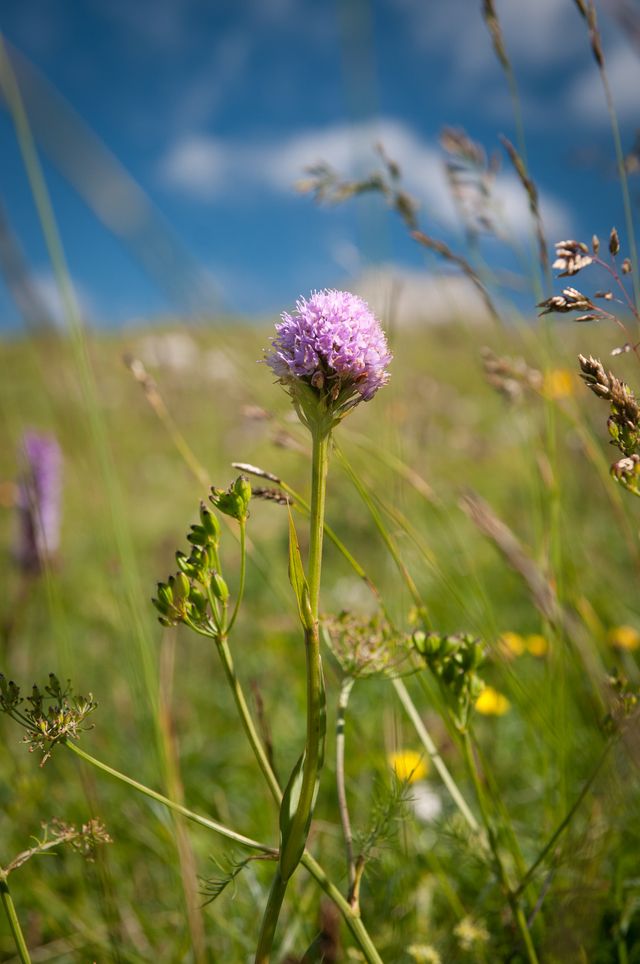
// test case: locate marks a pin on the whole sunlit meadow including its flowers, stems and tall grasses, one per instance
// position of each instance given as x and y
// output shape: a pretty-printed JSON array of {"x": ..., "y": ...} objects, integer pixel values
[{"x": 464, "y": 785}]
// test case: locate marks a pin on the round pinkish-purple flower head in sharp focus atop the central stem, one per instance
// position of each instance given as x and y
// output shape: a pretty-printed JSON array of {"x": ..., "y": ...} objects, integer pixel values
[{"x": 334, "y": 344}]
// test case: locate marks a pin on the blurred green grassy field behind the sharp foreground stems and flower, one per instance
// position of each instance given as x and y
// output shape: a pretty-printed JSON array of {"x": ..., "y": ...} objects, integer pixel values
[{"x": 437, "y": 434}]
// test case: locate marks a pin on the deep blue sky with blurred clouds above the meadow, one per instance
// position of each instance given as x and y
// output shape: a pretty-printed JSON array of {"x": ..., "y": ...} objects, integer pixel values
[{"x": 185, "y": 123}]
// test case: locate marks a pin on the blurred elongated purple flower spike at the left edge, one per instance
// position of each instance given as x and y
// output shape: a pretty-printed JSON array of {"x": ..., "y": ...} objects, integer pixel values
[{"x": 38, "y": 500}]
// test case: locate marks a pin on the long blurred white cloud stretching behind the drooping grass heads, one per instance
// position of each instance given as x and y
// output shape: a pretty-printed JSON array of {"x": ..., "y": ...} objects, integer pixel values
[{"x": 205, "y": 167}]
